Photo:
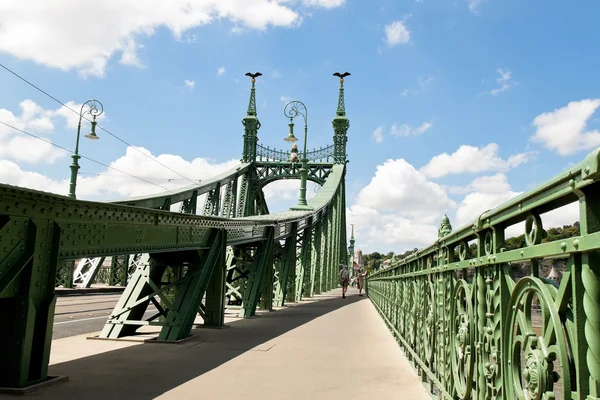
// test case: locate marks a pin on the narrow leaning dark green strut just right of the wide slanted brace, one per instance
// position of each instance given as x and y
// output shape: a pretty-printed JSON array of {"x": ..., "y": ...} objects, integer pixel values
[{"x": 262, "y": 257}]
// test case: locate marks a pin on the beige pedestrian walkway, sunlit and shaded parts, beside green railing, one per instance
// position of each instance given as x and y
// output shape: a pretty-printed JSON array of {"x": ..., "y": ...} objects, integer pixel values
[{"x": 322, "y": 348}]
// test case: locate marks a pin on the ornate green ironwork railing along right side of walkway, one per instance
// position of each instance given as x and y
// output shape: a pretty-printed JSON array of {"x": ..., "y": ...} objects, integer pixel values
[{"x": 474, "y": 329}]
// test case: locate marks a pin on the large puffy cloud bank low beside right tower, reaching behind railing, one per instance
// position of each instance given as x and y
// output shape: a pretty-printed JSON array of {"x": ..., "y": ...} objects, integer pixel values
[{"x": 400, "y": 208}]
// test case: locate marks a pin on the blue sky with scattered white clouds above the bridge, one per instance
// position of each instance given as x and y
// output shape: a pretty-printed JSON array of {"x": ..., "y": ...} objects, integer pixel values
[{"x": 428, "y": 77}]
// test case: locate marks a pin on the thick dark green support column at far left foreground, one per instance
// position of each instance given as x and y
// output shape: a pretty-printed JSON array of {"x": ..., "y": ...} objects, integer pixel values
[{"x": 27, "y": 300}]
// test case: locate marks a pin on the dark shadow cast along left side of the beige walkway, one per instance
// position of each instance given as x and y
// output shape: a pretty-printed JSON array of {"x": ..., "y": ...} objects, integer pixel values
[{"x": 148, "y": 370}]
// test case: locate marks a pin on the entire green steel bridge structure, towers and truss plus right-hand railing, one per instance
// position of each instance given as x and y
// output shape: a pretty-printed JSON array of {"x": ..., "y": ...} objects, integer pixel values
[{"x": 470, "y": 327}]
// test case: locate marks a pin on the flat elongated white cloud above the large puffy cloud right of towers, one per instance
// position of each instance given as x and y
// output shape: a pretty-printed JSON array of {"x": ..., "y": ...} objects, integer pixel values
[{"x": 473, "y": 159}]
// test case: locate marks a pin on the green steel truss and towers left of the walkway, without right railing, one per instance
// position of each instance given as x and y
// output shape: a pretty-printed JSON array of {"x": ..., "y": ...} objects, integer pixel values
[{"x": 232, "y": 253}]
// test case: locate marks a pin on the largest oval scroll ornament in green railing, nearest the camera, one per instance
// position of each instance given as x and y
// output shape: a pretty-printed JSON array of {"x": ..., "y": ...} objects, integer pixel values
[{"x": 529, "y": 358}]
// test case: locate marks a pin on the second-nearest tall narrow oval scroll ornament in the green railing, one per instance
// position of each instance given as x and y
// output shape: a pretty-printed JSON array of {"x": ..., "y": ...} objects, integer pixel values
[{"x": 463, "y": 339}]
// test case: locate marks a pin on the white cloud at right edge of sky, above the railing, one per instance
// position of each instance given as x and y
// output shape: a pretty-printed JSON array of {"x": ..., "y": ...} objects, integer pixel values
[{"x": 564, "y": 130}]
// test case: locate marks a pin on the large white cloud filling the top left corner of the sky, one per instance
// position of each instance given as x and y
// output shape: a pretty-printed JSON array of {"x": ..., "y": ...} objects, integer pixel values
[{"x": 59, "y": 34}]
